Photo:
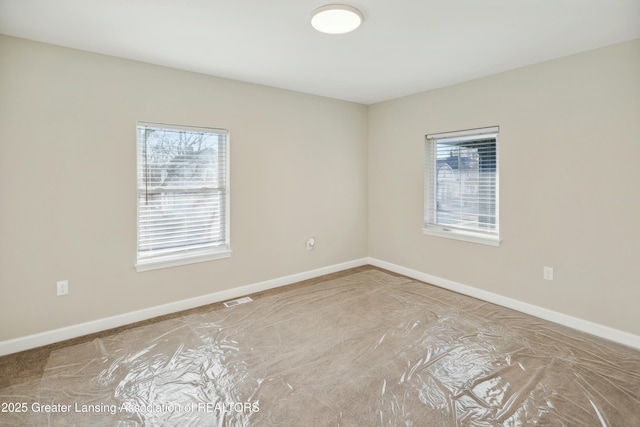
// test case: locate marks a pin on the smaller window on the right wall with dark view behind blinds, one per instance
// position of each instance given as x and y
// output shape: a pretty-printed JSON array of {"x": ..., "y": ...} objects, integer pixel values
[{"x": 461, "y": 185}]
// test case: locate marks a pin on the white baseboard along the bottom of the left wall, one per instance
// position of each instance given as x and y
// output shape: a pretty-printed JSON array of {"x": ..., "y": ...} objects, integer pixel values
[{"x": 74, "y": 331}]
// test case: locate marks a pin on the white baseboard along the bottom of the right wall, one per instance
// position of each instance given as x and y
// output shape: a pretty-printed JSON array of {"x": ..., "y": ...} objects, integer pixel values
[{"x": 592, "y": 328}]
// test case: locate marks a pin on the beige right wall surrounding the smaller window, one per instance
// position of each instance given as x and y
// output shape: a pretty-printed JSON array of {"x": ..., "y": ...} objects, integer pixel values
[{"x": 569, "y": 183}]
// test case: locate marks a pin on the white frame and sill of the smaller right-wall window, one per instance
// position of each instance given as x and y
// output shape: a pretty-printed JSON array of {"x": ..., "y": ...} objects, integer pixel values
[{"x": 431, "y": 224}]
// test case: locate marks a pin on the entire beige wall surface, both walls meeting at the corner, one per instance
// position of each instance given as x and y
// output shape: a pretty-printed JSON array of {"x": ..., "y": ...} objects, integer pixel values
[{"x": 569, "y": 158}]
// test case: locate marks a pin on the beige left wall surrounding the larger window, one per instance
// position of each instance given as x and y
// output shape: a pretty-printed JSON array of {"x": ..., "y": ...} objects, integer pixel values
[{"x": 67, "y": 183}]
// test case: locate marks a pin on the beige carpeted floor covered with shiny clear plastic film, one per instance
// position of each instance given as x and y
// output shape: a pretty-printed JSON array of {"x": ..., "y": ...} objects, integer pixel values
[{"x": 370, "y": 348}]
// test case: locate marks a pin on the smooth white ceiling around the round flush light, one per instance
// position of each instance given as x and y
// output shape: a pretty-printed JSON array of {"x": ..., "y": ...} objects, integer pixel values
[{"x": 403, "y": 46}]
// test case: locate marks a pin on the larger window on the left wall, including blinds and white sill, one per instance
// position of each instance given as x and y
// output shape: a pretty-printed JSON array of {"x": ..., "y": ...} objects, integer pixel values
[{"x": 183, "y": 195}]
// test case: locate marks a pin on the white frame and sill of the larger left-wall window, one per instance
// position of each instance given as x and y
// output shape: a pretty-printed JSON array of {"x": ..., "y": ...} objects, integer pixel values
[{"x": 194, "y": 253}]
